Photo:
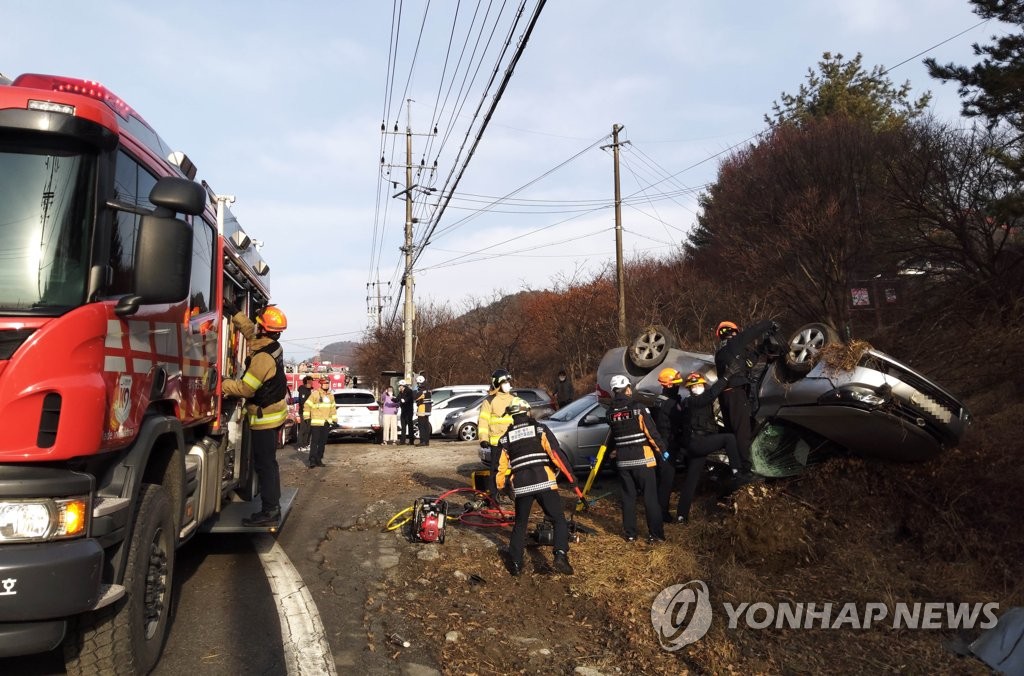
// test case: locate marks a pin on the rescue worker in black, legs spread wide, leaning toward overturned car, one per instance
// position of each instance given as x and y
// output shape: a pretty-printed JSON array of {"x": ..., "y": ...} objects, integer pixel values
[{"x": 702, "y": 437}]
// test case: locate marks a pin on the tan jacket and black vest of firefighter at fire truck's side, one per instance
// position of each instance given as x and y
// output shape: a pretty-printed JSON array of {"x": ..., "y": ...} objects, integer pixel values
[{"x": 264, "y": 385}]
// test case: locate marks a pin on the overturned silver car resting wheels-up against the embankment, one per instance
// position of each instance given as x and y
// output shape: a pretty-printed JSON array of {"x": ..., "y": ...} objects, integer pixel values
[{"x": 808, "y": 408}]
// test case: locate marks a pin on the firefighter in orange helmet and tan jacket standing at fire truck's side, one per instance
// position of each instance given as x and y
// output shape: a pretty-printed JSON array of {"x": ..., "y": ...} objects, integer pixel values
[{"x": 266, "y": 391}]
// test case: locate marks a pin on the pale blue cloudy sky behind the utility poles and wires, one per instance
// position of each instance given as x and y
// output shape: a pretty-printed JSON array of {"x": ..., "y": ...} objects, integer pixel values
[{"x": 281, "y": 105}]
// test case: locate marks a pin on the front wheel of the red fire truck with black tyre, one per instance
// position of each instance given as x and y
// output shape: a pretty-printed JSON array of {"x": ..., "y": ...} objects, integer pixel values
[{"x": 129, "y": 636}]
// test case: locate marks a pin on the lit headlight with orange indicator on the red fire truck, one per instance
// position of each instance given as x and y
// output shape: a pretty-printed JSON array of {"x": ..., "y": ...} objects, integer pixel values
[{"x": 28, "y": 521}]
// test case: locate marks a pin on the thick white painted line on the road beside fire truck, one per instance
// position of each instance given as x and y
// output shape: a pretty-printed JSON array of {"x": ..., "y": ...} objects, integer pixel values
[{"x": 307, "y": 650}]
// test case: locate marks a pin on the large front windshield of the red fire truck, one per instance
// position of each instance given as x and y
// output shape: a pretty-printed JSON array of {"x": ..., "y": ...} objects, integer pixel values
[{"x": 46, "y": 198}]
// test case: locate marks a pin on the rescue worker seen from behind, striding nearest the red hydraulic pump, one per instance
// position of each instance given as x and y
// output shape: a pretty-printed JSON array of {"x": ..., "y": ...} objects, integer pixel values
[{"x": 529, "y": 452}]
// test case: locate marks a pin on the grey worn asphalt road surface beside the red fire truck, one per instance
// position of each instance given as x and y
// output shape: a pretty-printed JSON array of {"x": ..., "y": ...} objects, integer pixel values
[{"x": 226, "y": 619}]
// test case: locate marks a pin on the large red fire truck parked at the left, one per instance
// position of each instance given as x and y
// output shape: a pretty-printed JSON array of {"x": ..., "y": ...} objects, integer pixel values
[{"x": 116, "y": 447}]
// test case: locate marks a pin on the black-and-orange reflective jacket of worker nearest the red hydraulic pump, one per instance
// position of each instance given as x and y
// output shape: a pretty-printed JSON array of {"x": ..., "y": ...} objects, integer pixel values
[{"x": 530, "y": 454}]
